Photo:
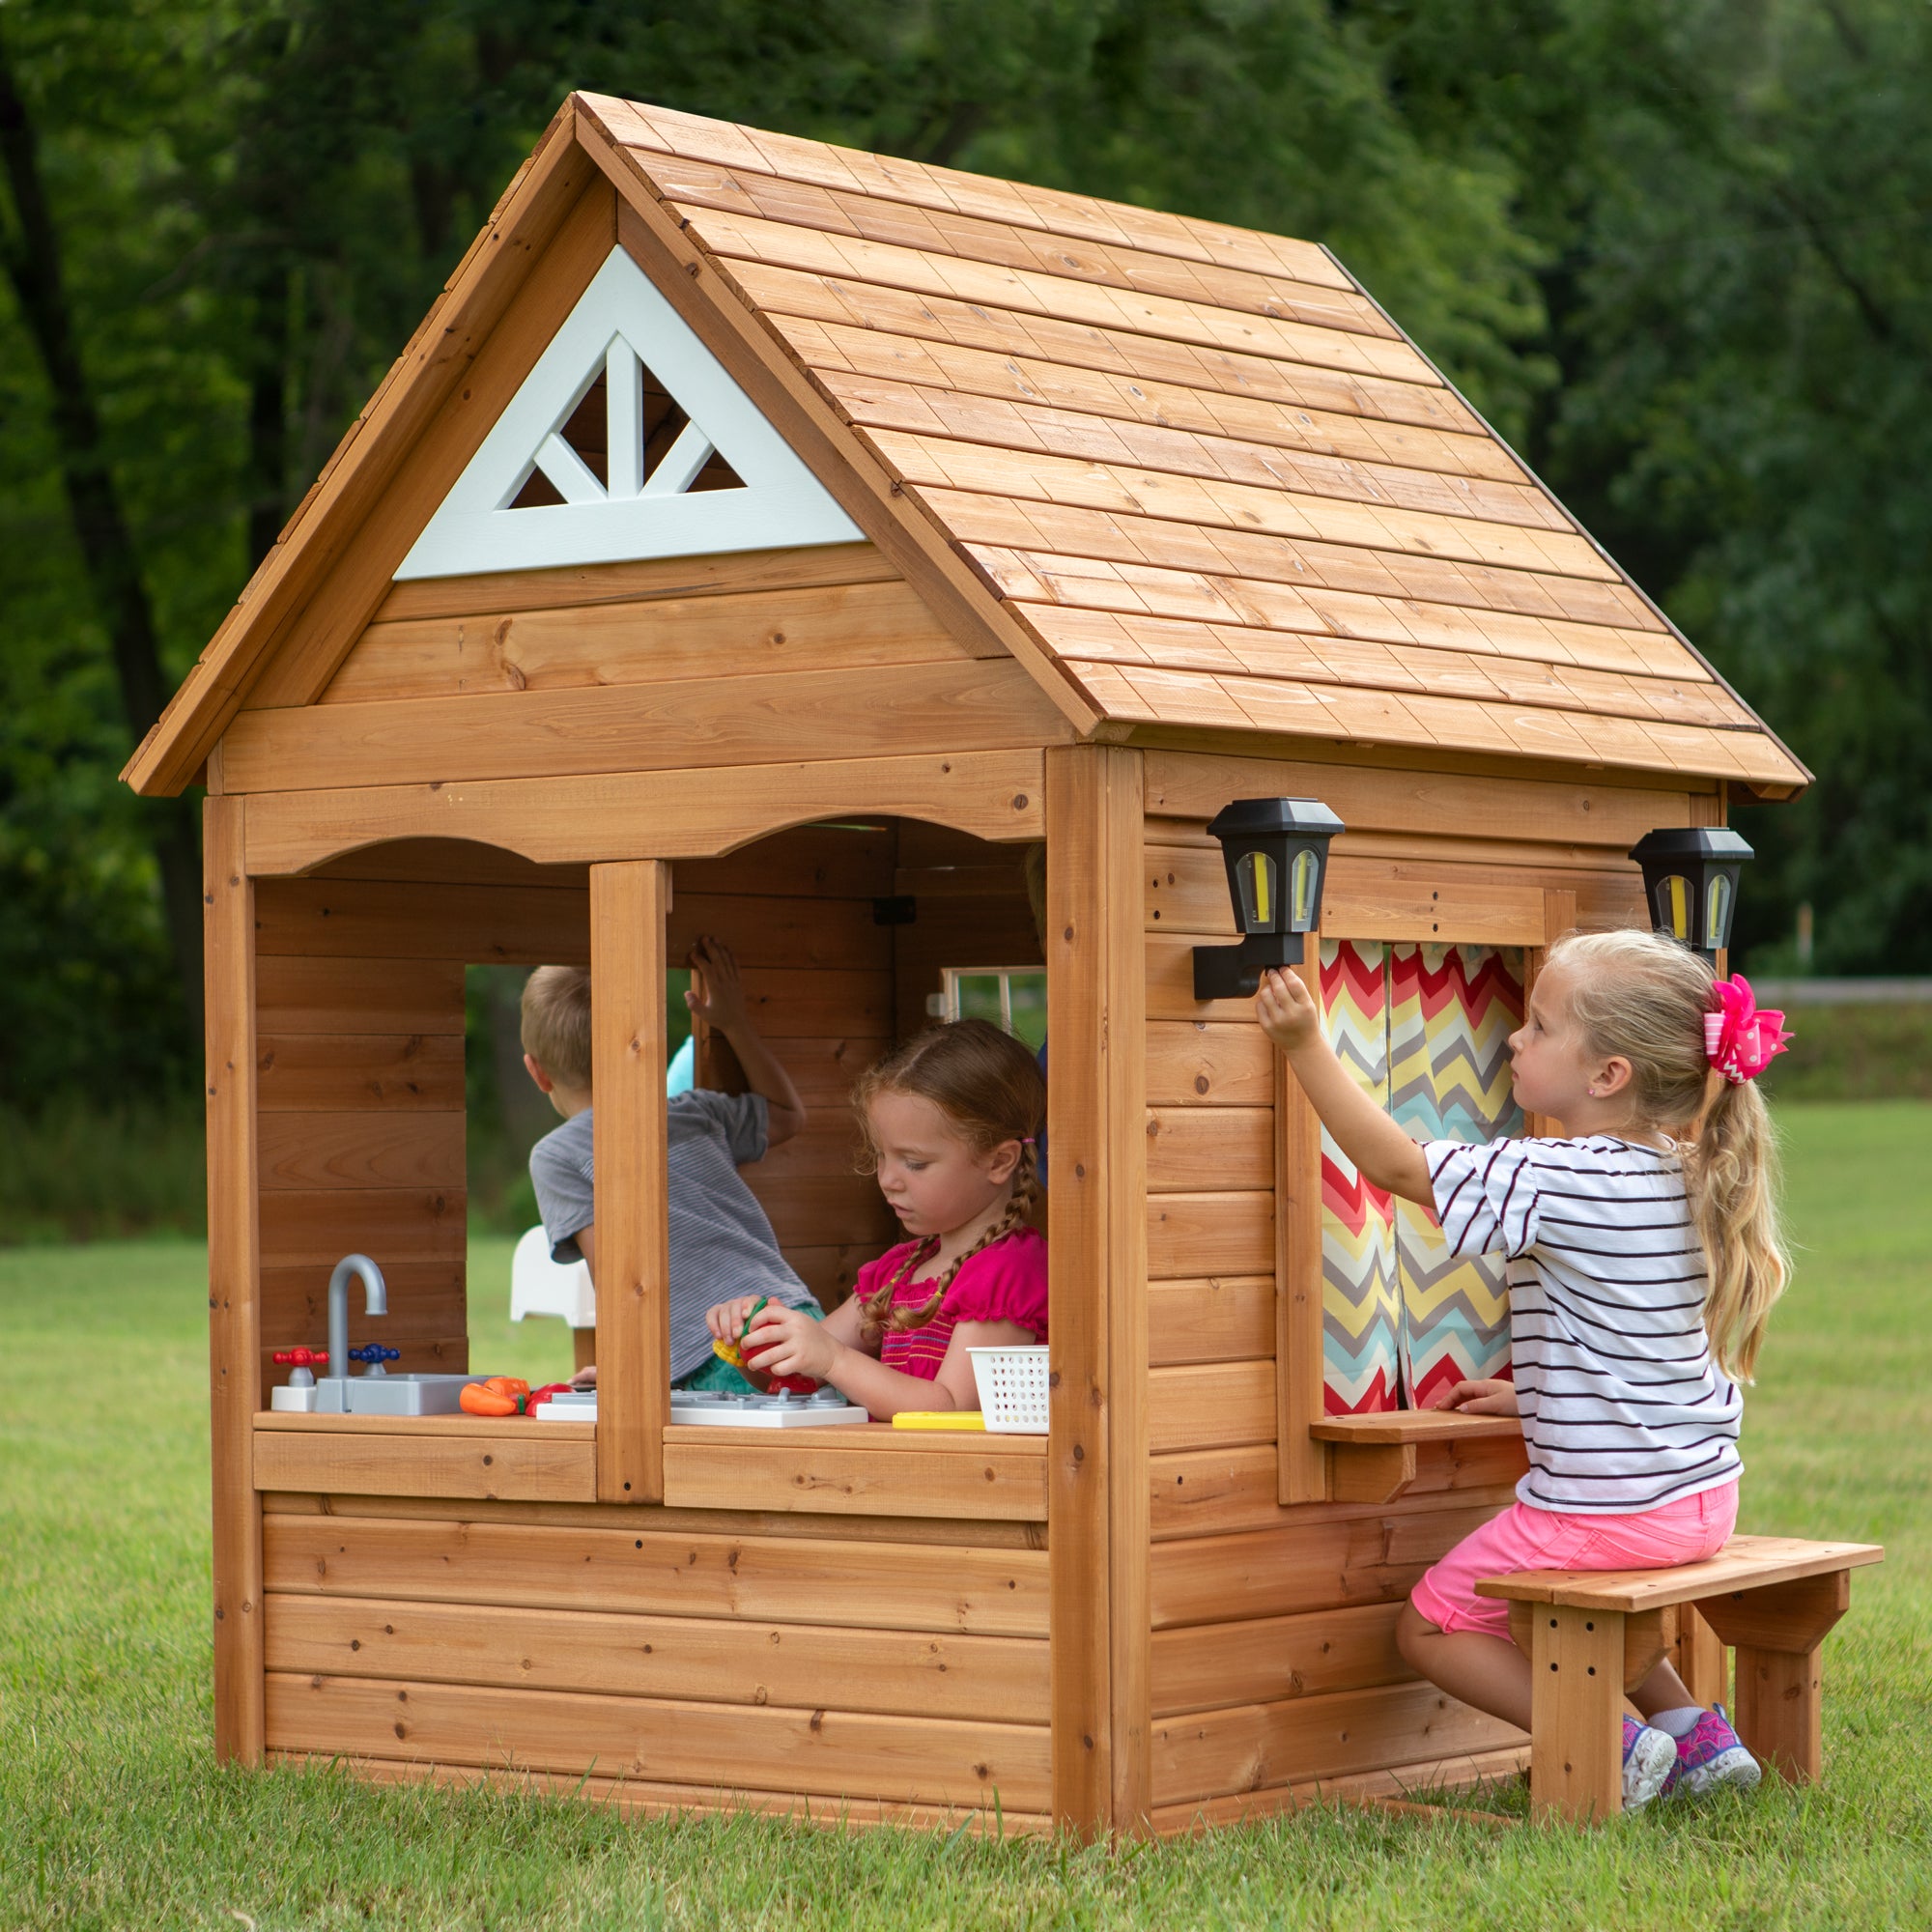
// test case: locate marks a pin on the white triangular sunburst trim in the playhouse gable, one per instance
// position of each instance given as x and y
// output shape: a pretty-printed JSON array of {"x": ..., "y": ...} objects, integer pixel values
[{"x": 619, "y": 324}]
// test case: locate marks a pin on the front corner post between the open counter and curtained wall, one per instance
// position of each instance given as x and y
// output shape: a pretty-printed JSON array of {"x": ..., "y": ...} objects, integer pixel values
[{"x": 1098, "y": 1151}]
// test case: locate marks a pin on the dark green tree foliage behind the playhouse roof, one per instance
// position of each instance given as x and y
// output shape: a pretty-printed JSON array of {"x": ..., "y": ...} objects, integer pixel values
[{"x": 1678, "y": 250}]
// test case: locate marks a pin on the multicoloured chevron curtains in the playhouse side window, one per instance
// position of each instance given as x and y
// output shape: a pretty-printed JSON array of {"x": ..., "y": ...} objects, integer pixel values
[{"x": 1425, "y": 1031}]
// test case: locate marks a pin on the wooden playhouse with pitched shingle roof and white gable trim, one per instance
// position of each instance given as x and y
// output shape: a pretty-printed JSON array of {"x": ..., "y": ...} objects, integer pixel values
[{"x": 772, "y": 540}]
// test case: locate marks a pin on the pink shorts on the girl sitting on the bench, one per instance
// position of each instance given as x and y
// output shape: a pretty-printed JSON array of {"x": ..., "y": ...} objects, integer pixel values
[{"x": 1541, "y": 1539}]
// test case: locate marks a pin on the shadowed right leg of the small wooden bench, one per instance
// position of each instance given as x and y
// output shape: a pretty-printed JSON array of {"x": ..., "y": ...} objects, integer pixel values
[{"x": 1780, "y": 1691}]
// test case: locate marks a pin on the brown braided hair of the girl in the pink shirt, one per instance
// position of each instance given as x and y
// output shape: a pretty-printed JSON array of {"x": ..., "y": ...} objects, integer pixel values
[{"x": 990, "y": 1087}]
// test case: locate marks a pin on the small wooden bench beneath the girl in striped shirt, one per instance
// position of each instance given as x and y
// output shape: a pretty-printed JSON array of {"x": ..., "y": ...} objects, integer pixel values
[{"x": 1593, "y": 1635}]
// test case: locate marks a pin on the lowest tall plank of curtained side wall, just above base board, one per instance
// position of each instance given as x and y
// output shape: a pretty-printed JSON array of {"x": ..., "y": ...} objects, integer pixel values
[{"x": 1255, "y": 1746}]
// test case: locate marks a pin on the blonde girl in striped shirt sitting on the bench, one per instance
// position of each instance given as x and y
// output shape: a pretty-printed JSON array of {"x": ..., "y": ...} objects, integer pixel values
[{"x": 1643, "y": 1264}]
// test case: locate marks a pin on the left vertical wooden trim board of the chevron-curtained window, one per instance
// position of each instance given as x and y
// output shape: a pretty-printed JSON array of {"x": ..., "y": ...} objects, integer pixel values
[{"x": 1303, "y": 1463}]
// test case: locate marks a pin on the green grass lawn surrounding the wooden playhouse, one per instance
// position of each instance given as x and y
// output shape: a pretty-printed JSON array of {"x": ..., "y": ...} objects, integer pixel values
[{"x": 115, "y": 1815}]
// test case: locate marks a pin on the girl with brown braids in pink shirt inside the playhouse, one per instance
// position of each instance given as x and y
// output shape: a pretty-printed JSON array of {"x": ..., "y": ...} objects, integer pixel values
[{"x": 952, "y": 1127}]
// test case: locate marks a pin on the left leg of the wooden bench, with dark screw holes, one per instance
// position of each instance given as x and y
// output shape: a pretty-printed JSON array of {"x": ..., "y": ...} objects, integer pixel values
[{"x": 1576, "y": 1715}]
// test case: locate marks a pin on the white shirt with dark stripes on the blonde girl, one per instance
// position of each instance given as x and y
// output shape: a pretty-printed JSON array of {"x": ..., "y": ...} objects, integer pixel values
[{"x": 1622, "y": 1404}]
